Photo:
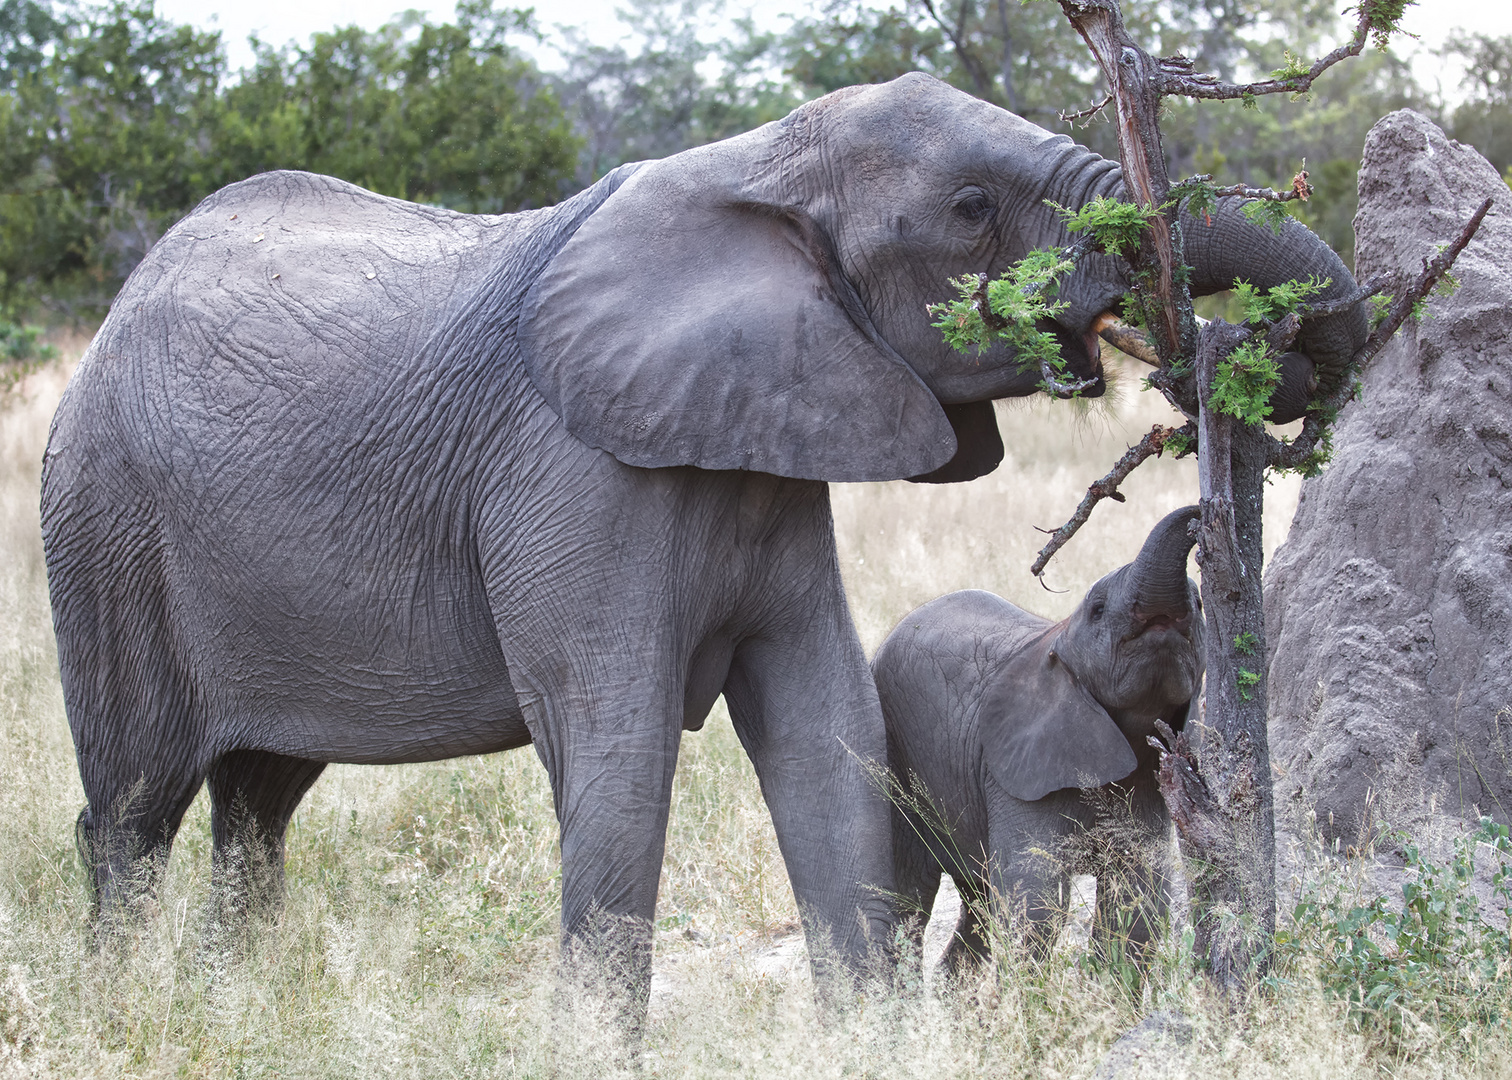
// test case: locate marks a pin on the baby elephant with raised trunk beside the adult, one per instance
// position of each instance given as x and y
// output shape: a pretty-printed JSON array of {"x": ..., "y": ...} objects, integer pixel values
[{"x": 999, "y": 719}]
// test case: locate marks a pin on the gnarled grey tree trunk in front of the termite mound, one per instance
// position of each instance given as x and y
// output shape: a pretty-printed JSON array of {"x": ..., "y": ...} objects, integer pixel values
[{"x": 1224, "y": 815}]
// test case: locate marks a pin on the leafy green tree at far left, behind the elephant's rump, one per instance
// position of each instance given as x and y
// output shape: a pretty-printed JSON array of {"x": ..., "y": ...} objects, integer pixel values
[{"x": 107, "y": 131}]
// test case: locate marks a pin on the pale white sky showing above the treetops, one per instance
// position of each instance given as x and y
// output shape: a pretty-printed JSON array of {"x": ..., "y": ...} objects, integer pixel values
[{"x": 282, "y": 20}]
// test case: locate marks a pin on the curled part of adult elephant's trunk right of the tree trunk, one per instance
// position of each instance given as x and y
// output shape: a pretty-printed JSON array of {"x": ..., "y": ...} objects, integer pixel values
[{"x": 1225, "y": 247}]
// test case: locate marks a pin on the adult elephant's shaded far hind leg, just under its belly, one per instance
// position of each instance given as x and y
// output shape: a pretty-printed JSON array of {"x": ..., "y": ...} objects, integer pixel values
[{"x": 253, "y": 796}]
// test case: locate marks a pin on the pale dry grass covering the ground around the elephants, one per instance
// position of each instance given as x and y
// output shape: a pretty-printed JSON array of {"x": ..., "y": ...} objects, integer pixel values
[{"x": 420, "y": 933}]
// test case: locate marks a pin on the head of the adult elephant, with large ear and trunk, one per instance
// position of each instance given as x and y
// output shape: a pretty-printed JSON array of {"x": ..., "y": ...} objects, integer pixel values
[{"x": 760, "y": 303}]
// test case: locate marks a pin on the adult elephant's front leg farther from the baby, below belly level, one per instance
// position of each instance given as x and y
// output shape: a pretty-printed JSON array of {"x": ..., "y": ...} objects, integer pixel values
[{"x": 612, "y": 783}]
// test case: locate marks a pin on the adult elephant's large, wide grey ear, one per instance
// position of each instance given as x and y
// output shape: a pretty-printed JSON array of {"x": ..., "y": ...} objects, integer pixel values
[{"x": 696, "y": 318}]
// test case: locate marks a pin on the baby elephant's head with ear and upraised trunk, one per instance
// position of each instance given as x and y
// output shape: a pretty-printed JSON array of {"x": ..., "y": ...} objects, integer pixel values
[{"x": 1071, "y": 709}]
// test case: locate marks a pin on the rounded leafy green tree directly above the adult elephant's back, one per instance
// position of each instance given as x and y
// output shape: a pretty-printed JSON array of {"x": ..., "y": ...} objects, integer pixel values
[{"x": 447, "y": 114}]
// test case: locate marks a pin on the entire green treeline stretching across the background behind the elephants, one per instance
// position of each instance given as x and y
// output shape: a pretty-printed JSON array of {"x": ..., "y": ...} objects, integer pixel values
[{"x": 114, "y": 122}]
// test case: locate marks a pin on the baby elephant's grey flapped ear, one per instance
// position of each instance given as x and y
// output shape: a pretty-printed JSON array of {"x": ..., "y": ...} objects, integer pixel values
[{"x": 1043, "y": 731}]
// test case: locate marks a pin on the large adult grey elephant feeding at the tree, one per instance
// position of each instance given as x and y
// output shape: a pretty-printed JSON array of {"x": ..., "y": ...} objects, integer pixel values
[{"x": 345, "y": 479}]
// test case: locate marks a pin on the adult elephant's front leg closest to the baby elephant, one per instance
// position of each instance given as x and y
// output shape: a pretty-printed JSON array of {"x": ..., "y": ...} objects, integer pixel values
[{"x": 807, "y": 712}]
